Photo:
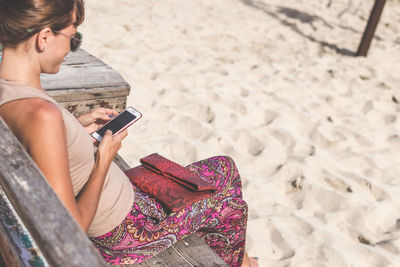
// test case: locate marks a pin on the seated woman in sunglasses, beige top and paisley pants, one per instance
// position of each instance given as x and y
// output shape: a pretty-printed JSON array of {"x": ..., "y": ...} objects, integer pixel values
[{"x": 125, "y": 224}]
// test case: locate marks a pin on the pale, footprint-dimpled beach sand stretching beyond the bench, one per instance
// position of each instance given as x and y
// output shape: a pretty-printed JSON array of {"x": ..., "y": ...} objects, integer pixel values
[{"x": 314, "y": 131}]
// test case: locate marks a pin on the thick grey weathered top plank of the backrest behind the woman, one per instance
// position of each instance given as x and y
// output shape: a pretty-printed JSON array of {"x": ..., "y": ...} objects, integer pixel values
[{"x": 56, "y": 233}]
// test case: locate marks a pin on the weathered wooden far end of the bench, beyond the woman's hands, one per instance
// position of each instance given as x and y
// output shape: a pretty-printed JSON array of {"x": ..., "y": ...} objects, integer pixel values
[{"x": 84, "y": 82}]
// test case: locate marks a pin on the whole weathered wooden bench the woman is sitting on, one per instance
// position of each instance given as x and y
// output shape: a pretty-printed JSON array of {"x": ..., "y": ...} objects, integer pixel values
[{"x": 35, "y": 227}]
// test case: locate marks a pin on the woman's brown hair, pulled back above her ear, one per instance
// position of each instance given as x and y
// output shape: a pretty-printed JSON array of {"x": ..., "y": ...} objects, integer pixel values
[{"x": 21, "y": 19}]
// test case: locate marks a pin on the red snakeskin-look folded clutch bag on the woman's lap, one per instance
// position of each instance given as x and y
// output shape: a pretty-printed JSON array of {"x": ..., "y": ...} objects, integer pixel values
[{"x": 173, "y": 186}]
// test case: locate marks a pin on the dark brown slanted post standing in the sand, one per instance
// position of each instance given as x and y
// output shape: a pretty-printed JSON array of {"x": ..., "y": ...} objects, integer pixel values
[{"x": 370, "y": 28}]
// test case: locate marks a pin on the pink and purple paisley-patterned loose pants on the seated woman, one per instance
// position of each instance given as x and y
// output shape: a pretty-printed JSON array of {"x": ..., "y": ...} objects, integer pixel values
[{"x": 220, "y": 220}]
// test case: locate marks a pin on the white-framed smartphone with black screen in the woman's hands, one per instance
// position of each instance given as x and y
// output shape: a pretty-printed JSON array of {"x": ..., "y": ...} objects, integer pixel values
[{"x": 124, "y": 119}]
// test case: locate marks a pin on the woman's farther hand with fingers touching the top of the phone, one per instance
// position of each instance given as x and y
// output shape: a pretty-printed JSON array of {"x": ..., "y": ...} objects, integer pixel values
[{"x": 96, "y": 118}]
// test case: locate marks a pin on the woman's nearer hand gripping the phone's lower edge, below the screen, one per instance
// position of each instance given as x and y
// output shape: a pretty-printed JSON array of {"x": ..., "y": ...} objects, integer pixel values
[{"x": 109, "y": 146}]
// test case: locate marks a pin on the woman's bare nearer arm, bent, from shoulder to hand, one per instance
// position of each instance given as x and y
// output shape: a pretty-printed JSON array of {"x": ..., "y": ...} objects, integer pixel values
[{"x": 45, "y": 139}]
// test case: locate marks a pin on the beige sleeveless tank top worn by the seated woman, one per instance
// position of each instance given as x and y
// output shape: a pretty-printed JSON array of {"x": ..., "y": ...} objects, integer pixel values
[{"x": 117, "y": 196}]
